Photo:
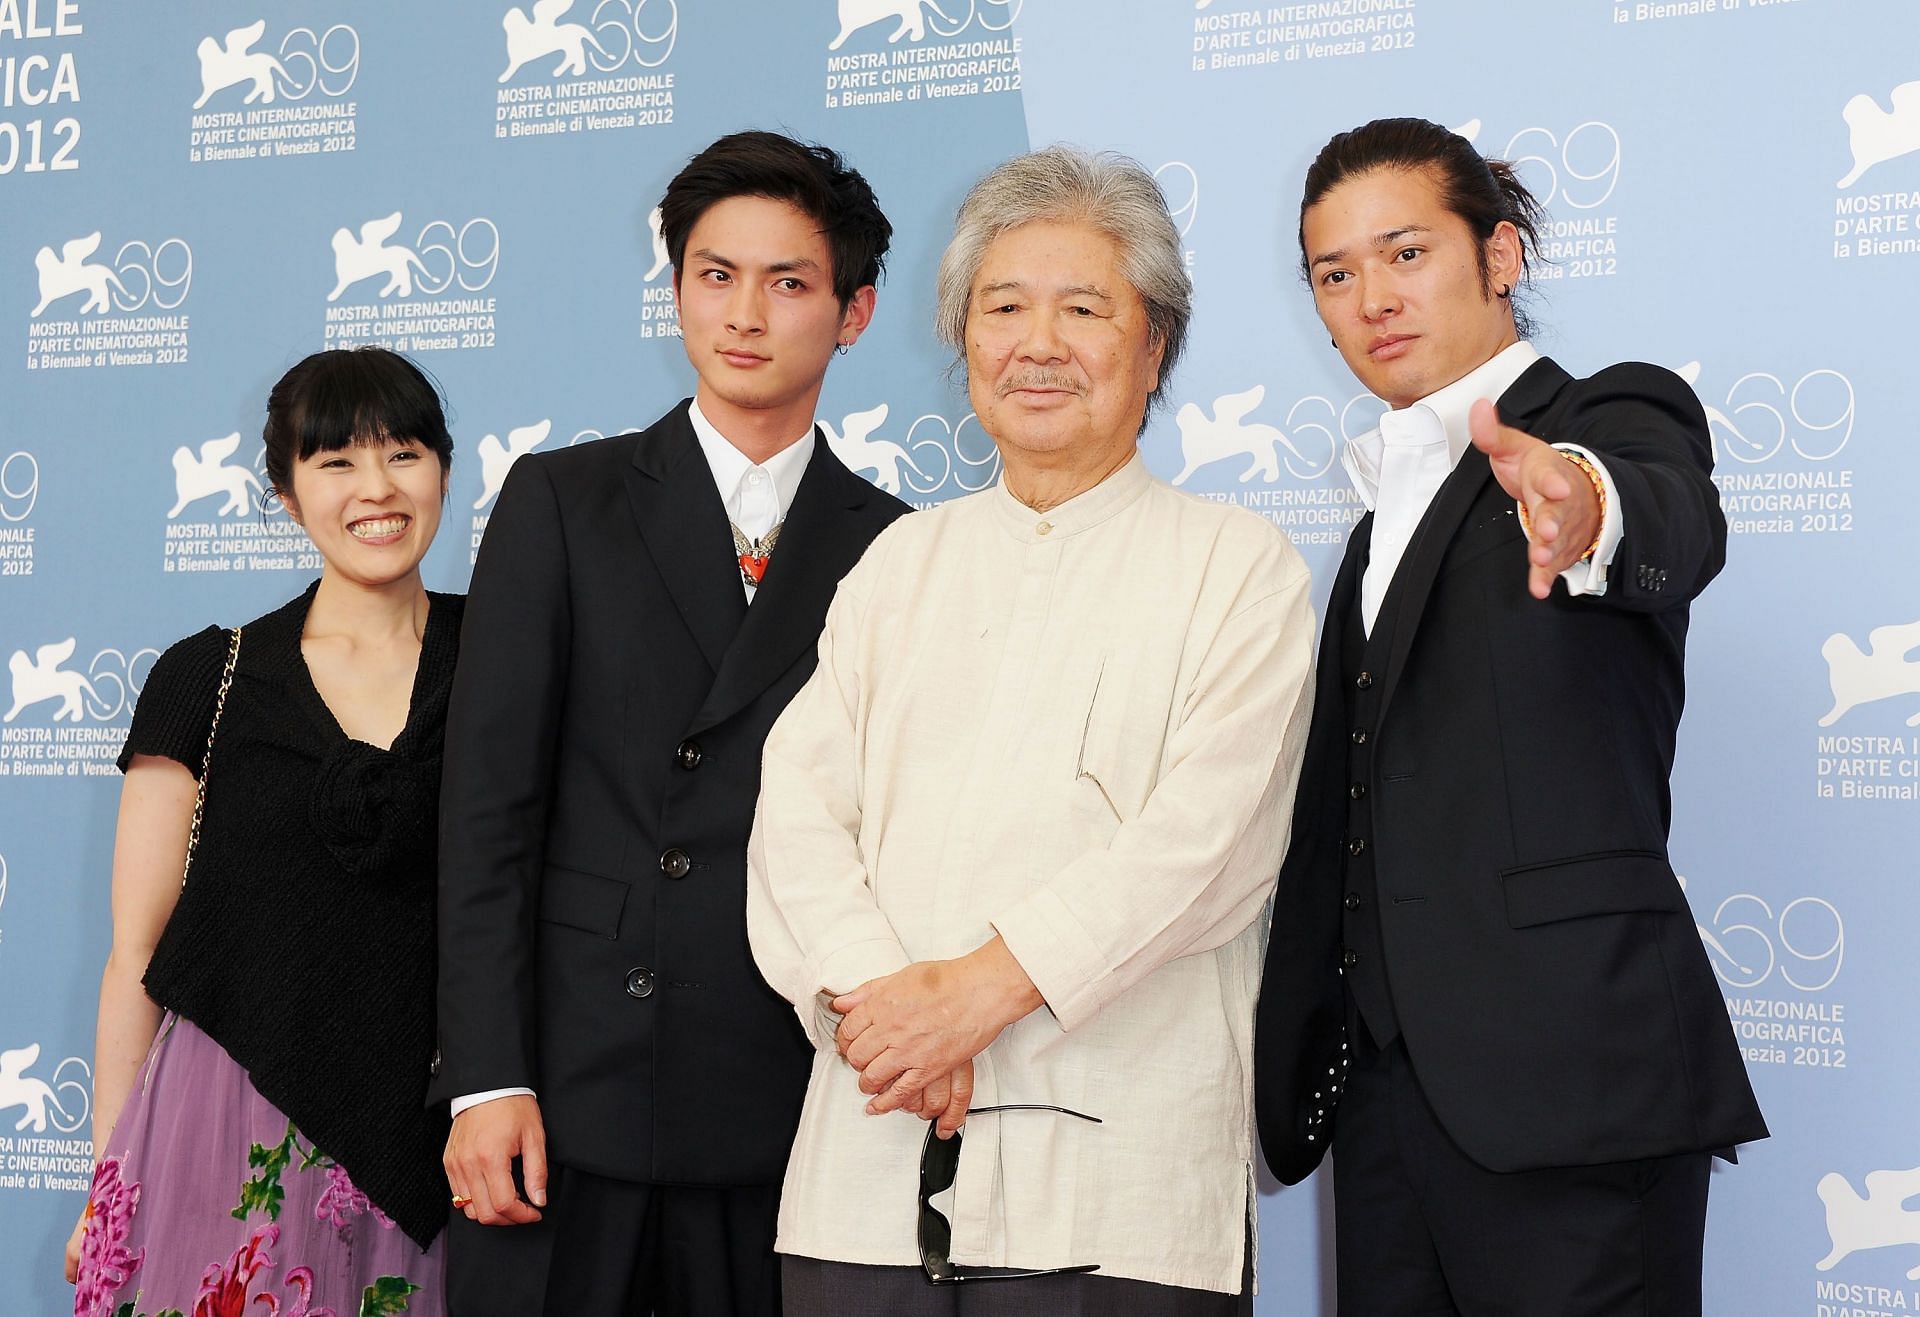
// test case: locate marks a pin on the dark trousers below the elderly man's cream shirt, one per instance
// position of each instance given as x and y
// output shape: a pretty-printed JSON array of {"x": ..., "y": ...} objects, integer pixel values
[{"x": 844, "y": 1289}]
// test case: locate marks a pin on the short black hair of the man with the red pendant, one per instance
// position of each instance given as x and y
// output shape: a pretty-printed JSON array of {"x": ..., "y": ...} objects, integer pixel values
[{"x": 813, "y": 180}]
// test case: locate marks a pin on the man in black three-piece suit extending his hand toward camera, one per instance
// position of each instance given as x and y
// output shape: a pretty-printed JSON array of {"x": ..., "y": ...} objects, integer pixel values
[{"x": 1485, "y": 988}]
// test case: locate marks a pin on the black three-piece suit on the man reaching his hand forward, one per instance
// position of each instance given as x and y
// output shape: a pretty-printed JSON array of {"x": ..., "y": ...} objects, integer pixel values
[{"x": 1481, "y": 961}]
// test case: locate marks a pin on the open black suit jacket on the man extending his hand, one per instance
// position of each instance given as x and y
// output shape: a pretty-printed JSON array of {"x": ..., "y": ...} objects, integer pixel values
[{"x": 1548, "y": 978}]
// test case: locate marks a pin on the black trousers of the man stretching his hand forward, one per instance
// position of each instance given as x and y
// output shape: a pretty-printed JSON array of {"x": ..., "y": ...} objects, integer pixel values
[{"x": 1422, "y": 1230}]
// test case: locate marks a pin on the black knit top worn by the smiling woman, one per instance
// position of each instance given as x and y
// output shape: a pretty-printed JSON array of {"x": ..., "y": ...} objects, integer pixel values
[{"x": 304, "y": 940}]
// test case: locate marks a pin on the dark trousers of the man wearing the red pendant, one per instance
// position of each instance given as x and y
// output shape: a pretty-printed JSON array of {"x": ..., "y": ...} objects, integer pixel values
[{"x": 615, "y": 1249}]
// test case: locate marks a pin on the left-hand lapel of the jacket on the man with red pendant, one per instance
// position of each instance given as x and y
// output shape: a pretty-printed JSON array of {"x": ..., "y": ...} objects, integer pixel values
[{"x": 684, "y": 527}]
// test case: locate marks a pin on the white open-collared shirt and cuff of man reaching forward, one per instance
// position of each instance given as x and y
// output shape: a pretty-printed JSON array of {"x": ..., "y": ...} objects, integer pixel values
[{"x": 1401, "y": 467}]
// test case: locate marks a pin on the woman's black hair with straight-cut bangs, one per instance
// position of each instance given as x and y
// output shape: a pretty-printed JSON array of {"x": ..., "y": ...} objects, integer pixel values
[{"x": 350, "y": 396}]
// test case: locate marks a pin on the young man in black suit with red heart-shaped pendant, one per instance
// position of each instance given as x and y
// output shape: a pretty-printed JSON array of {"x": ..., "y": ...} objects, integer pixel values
[{"x": 642, "y": 611}]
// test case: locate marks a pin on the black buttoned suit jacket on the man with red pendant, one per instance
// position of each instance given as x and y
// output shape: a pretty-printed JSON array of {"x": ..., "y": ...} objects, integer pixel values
[{"x": 604, "y": 759}]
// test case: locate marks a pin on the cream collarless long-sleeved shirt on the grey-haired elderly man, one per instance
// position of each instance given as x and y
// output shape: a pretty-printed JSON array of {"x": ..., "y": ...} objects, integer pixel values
[{"x": 1080, "y": 730}]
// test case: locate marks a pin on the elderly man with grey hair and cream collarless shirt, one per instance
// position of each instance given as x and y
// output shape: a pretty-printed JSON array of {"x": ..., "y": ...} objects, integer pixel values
[{"x": 1017, "y": 834}]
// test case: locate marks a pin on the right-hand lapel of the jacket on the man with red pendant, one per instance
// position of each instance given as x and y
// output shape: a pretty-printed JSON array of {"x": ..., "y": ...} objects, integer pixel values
[{"x": 817, "y": 548}]
